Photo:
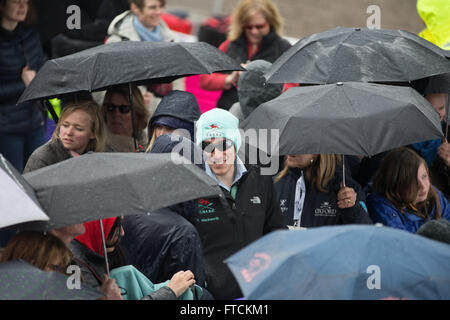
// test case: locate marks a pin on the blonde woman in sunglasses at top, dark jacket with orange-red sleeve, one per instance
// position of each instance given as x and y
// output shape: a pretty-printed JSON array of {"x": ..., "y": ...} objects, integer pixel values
[{"x": 255, "y": 33}]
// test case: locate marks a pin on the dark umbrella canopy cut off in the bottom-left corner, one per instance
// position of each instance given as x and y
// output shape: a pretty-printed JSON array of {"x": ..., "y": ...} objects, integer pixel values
[{"x": 22, "y": 281}]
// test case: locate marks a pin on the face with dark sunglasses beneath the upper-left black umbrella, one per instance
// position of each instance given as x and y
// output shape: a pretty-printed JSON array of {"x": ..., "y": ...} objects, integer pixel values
[{"x": 118, "y": 115}]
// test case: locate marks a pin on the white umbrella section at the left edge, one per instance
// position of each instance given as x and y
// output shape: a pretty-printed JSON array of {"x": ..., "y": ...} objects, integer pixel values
[{"x": 18, "y": 202}]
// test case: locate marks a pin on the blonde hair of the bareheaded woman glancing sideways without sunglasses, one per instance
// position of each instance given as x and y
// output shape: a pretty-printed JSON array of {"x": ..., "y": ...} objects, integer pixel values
[{"x": 97, "y": 123}]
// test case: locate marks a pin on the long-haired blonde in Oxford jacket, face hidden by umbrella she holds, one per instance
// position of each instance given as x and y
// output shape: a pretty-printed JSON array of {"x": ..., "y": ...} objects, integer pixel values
[{"x": 311, "y": 192}]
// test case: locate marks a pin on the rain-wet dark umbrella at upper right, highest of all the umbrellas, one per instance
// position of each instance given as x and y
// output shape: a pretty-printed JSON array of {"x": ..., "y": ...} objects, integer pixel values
[{"x": 361, "y": 54}]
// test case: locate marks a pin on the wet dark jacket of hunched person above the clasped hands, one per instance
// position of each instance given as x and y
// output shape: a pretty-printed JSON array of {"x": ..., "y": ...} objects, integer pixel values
[{"x": 161, "y": 244}]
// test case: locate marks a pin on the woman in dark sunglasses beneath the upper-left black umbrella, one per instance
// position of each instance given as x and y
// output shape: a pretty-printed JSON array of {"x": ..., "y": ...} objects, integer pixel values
[{"x": 117, "y": 114}]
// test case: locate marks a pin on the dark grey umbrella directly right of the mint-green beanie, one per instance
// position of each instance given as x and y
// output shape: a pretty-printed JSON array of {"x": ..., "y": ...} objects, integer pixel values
[{"x": 351, "y": 118}]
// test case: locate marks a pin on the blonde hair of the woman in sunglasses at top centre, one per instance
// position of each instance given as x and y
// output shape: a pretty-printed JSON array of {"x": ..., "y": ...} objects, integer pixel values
[{"x": 248, "y": 8}]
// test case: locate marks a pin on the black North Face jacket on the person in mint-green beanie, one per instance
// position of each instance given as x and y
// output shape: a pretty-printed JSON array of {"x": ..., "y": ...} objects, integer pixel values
[{"x": 226, "y": 227}]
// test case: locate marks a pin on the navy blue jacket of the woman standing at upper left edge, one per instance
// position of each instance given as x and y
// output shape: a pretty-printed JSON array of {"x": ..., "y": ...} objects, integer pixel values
[{"x": 18, "y": 48}]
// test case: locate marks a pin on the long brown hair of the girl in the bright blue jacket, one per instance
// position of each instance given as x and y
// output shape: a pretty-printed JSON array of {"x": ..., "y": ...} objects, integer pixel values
[{"x": 396, "y": 180}]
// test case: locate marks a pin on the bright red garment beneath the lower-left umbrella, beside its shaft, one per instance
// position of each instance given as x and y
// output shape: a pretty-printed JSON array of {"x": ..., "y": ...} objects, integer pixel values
[{"x": 92, "y": 237}]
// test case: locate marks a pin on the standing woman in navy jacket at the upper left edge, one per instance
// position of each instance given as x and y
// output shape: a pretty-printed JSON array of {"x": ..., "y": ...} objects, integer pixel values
[{"x": 21, "y": 56}]
